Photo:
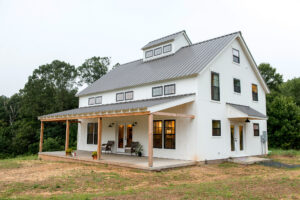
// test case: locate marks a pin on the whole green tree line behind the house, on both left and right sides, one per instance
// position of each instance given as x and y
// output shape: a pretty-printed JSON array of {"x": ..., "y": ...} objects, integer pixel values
[{"x": 52, "y": 88}]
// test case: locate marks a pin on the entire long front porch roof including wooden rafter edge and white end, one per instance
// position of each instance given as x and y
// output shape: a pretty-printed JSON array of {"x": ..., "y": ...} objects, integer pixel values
[{"x": 148, "y": 105}]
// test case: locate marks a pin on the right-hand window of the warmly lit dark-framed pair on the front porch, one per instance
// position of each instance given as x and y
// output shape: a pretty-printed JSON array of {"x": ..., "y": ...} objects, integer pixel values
[{"x": 169, "y": 139}]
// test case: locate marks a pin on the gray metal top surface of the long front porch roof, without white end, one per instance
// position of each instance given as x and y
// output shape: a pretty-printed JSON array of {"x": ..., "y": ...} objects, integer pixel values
[{"x": 118, "y": 106}]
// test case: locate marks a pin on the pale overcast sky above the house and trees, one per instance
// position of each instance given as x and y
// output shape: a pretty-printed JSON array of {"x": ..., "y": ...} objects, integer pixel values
[{"x": 35, "y": 32}]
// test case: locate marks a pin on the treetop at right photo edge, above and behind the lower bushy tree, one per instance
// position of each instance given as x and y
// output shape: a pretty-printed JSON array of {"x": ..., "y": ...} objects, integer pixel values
[{"x": 291, "y": 88}]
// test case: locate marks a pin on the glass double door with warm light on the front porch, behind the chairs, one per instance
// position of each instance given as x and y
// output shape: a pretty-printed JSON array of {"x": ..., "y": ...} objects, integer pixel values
[{"x": 124, "y": 136}]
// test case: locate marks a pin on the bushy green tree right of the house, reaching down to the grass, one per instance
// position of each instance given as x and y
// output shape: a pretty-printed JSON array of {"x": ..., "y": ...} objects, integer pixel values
[{"x": 283, "y": 123}]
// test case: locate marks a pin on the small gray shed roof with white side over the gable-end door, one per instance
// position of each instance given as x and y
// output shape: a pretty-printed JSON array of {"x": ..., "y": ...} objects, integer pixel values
[{"x": 236, "y": 111}]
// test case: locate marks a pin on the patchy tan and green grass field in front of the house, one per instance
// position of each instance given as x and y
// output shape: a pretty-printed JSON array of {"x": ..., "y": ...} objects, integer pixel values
[{"x": 30, "y": 178}]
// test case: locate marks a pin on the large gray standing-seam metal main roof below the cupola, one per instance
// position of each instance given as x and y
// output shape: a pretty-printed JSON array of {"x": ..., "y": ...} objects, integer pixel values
[{"x": 187, "y": 61}]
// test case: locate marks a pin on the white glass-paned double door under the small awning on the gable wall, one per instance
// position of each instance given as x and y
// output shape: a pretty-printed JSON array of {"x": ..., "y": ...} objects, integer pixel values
[{"x": 236, "y": 138}]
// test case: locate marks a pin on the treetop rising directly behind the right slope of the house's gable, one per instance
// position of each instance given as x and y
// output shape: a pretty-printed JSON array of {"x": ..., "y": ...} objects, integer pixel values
[{"x": 272, "y": 79}]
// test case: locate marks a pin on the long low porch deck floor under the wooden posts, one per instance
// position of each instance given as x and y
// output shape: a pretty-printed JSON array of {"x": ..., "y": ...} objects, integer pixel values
[{"x": 118, "y": 160}]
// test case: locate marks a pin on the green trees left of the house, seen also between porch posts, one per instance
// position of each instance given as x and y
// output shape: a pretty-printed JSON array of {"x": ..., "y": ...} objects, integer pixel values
[{"x": 51, "y": 88}]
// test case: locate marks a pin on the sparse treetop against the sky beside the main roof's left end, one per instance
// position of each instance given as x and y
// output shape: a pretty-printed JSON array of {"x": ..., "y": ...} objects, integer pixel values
[{"x": 93, "y": 69}]
